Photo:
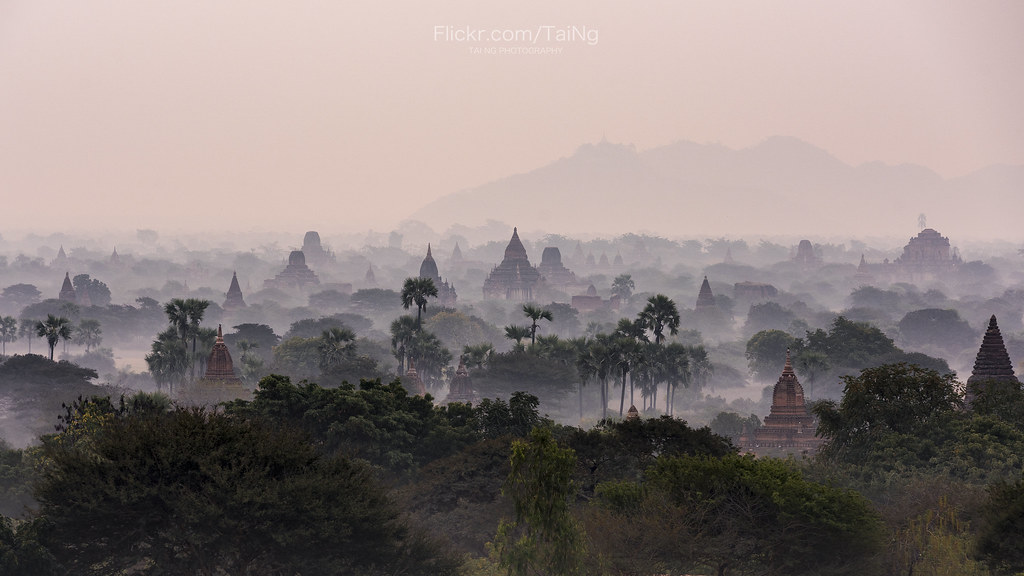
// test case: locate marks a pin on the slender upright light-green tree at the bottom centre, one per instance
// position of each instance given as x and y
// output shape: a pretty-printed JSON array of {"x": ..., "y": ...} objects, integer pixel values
[{"x": 543, "y": 539}]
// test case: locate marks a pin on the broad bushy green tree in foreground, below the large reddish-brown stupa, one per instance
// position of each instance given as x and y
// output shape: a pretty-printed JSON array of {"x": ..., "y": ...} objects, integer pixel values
[{"x": 761, "y": 516}]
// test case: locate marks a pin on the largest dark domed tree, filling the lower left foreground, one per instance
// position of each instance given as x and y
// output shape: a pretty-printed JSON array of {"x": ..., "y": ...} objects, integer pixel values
[{"x": 208, "y": 493}]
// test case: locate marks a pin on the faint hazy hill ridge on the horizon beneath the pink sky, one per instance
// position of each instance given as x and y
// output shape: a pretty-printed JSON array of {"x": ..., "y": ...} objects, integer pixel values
[{"x": 780, "y": 187}]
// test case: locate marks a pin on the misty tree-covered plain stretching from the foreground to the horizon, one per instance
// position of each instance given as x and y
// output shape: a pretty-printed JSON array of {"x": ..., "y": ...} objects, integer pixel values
[{"x": 327, "y": 390}]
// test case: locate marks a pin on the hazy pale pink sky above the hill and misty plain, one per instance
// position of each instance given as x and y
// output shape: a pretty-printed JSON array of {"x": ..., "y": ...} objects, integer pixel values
[{"x": 336, "y": 115}]
